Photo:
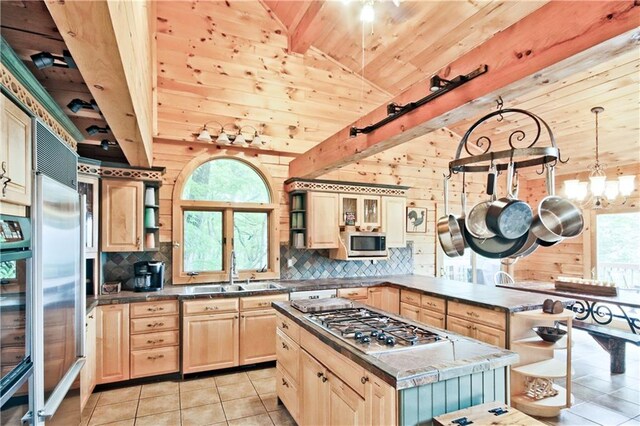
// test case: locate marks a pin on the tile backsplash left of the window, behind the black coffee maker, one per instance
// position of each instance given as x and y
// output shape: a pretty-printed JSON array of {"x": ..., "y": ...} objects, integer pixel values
[{"x": 119, "y": 266}]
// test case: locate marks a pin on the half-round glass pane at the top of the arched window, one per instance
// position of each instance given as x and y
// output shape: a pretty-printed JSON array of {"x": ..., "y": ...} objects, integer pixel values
[{"x": 226, "y": 180}]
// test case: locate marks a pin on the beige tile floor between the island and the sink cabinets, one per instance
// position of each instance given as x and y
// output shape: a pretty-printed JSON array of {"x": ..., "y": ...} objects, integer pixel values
[{"x": 240, "y": 398}]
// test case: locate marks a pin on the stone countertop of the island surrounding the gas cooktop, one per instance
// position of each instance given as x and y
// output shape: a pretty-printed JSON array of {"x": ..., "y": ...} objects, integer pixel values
[{"x": 411, "y": 367}]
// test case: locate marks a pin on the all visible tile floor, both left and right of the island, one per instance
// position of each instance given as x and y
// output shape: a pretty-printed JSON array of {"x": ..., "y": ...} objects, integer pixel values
[{"x": 248, "y": 397}]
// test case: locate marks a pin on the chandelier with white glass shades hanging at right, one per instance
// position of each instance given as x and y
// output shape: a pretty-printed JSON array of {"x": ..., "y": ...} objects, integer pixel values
[{"x": 599, "y": 192}]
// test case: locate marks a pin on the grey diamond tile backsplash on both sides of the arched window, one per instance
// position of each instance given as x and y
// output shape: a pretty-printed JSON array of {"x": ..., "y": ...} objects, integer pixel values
[{"x": 307, "y": 264}]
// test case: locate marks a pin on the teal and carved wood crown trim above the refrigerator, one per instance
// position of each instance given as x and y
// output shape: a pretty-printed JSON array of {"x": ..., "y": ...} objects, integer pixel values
[{"x": 18, "y": 81}]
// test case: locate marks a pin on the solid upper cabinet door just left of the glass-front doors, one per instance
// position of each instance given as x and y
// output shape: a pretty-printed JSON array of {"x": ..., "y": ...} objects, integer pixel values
[{"x": 323, "y": 221}]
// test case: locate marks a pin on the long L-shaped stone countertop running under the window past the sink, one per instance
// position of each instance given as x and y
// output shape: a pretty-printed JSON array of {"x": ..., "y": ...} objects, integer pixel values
[{"x": 480, "y": 295}]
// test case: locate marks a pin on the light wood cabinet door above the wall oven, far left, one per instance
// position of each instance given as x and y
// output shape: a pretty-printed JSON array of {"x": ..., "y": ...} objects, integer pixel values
[{"x": 15, "y": 154}]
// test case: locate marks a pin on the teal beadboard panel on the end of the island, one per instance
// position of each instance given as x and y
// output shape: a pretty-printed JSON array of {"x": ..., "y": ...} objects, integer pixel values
[{"x": 419, "y": 405}]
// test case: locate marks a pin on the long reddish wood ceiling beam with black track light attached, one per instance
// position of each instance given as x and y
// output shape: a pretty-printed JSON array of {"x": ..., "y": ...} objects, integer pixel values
[{"x": 520, "y": 59}]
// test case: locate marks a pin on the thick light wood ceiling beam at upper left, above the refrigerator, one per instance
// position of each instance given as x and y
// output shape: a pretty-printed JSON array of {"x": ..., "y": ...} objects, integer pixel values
[{"x": 107, "y": 41}]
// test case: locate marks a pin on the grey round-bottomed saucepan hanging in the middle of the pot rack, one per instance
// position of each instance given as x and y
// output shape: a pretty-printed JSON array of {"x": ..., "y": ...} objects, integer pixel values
[{"x": 509, "y": 217}]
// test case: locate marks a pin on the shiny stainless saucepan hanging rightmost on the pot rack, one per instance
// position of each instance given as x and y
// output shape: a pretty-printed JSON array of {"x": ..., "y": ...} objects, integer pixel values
[{"x": 557, "y": 217}]
